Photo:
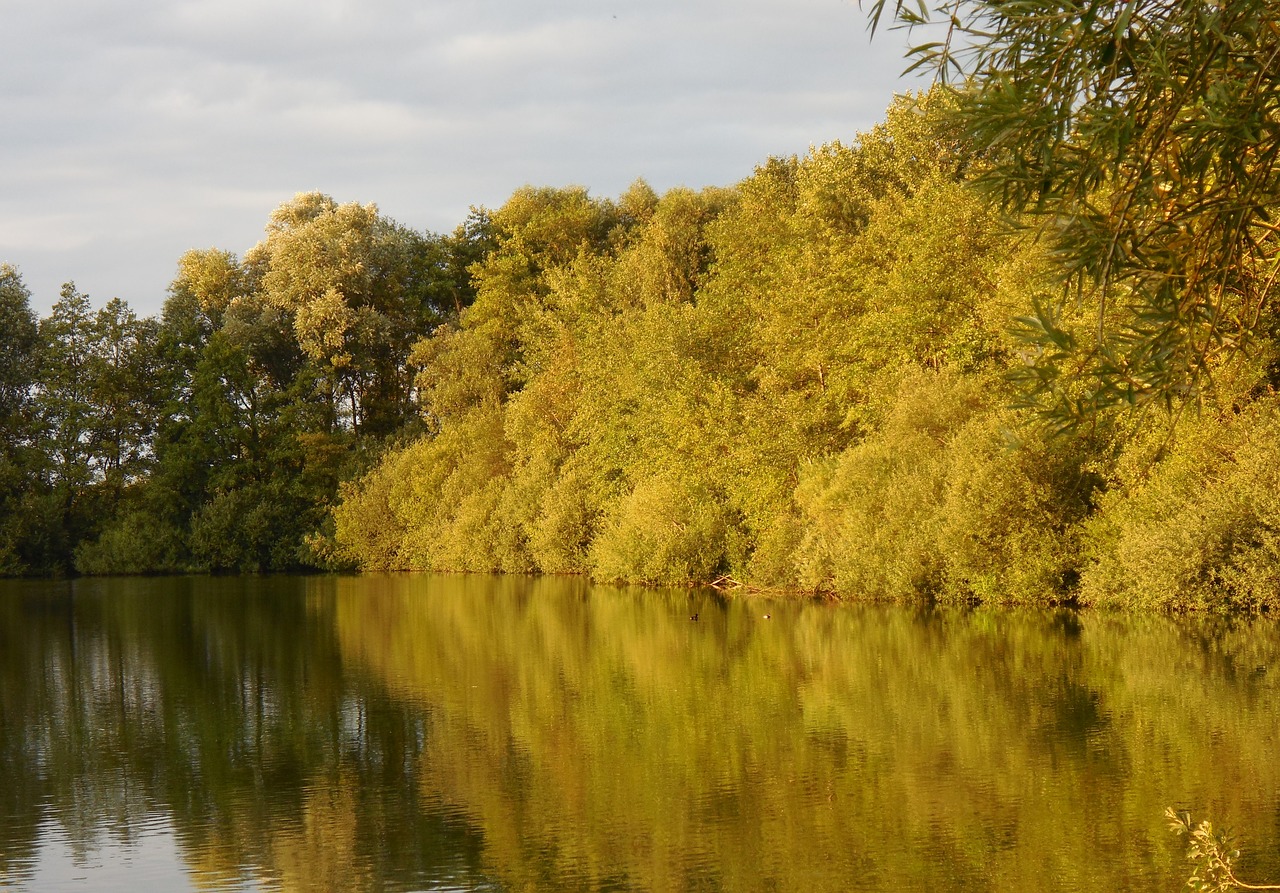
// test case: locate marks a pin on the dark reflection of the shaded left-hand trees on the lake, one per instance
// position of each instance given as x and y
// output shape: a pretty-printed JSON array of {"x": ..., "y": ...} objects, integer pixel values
[{"x": 223, "y": 706}]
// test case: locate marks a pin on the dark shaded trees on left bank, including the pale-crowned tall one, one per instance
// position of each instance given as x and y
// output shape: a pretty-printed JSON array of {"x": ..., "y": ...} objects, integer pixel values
[{"x": 213, "y": 438}]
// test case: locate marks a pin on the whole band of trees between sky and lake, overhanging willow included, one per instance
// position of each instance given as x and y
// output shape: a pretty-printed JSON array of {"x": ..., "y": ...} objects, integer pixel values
[{"x": 834, "y": 377}]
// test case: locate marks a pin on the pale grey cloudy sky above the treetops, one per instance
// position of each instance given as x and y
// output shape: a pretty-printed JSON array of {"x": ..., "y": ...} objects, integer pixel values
[{"x": 138, "y": 130}]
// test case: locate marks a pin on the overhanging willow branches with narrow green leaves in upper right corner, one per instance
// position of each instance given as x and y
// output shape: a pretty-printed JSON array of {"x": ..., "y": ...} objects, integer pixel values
[{"x": 1142, "y": 141}]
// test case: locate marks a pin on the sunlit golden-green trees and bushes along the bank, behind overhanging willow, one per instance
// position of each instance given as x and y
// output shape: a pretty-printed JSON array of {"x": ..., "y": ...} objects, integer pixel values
[{"x": 816, "y": 381}]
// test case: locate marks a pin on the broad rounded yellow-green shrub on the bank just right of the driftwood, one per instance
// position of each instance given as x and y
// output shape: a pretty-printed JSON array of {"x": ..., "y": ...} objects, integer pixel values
[{"x": 943, "y": 502}]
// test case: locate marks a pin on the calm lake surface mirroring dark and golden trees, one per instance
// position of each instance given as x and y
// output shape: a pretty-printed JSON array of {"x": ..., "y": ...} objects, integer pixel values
[{"x": 511, "y": 735}]
